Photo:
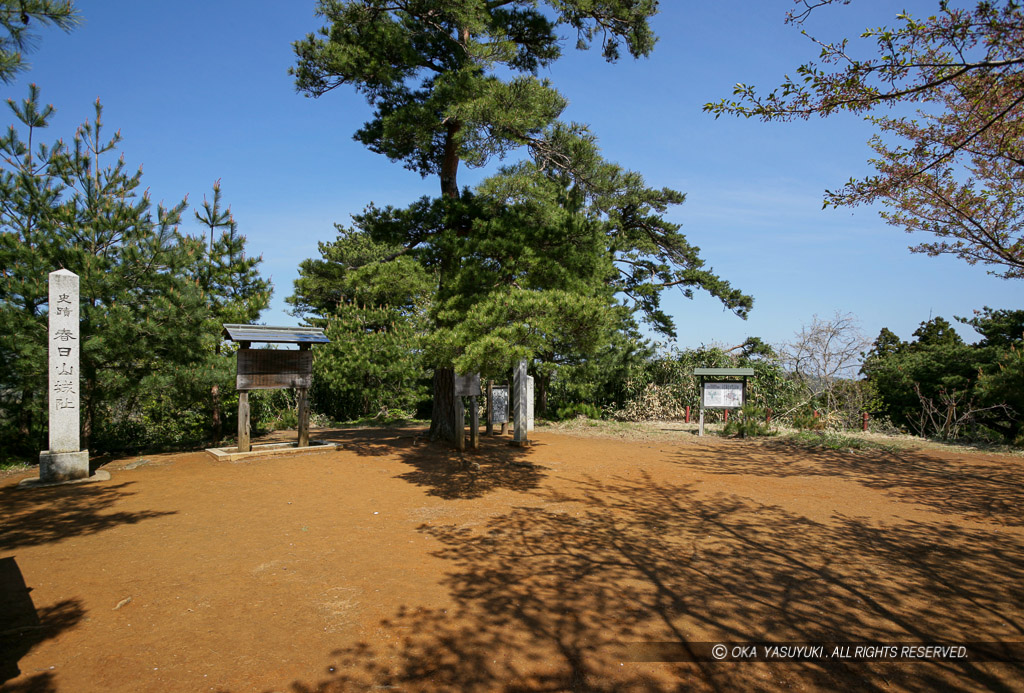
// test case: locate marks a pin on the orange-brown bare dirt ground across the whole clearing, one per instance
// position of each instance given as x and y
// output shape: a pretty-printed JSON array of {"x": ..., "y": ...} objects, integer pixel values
[{"x": 392, "y": 566}]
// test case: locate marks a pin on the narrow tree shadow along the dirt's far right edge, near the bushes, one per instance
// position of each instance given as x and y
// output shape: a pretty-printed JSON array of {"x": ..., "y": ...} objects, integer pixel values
[{"x": 976, "y": 488}]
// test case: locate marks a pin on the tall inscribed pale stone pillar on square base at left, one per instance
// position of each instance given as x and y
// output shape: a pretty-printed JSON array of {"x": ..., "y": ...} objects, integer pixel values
[{"x": 64, "y": 462}]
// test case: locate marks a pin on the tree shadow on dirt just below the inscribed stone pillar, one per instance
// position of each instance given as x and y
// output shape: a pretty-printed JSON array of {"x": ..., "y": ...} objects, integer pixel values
[{"x": 34, "y": 516}]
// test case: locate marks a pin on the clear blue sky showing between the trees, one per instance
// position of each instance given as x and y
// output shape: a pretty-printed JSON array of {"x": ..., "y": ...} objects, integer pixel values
[{"x": 200, "y": 92}]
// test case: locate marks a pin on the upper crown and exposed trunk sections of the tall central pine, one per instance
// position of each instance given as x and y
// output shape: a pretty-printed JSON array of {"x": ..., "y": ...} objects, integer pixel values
[{"x": 432, "y": 72}]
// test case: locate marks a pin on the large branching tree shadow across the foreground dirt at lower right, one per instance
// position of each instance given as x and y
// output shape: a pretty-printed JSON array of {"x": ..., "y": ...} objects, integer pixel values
[{"x": 546, "y": 598}]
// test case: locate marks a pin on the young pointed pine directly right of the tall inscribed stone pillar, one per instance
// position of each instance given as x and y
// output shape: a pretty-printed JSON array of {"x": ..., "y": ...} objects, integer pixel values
[{"x": 143, "y": 317}]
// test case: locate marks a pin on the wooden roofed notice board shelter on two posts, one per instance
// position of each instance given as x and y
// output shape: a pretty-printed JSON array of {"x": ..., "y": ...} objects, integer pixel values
[{"x": 274, "y": 369}]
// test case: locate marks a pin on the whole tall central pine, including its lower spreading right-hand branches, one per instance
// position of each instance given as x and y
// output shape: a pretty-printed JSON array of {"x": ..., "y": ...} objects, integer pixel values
[{"x": 436, "y": 75}]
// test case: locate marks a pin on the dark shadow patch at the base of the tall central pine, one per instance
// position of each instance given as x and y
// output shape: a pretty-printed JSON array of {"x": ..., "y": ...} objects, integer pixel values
[{"x": 444, "y": 471}]
